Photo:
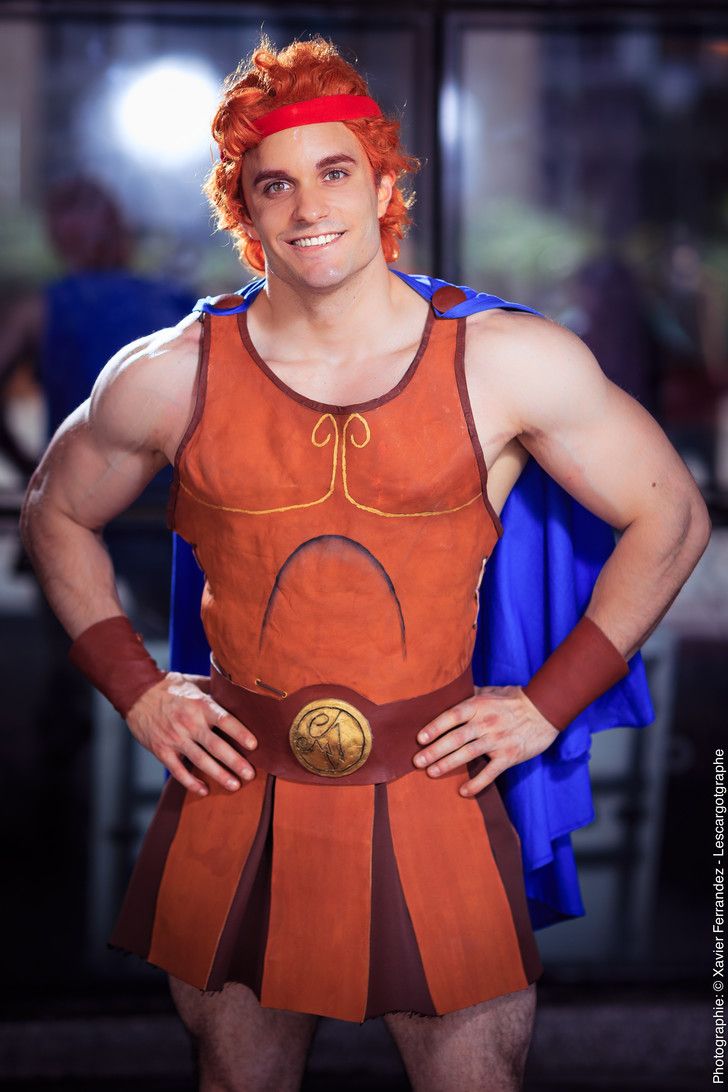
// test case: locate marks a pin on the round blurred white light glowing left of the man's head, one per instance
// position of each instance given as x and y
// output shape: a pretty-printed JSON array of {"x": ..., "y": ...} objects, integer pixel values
[{"x": 163, "y": 115}]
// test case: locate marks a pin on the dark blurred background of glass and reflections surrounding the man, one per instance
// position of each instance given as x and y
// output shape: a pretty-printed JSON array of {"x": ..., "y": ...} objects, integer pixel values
[{"x": 575, "y": 160}]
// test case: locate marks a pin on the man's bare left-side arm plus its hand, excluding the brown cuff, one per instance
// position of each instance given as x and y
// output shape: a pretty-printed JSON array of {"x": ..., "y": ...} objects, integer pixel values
[{"x": 99, "y": 462}]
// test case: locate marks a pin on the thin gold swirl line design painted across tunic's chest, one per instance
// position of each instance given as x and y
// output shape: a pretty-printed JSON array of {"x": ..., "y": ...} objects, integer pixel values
[{"x": 321, "y": 441}]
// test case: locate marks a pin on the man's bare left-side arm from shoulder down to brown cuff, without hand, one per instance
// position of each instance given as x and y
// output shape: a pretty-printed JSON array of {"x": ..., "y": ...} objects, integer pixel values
[{"x": 98, "y": 464}]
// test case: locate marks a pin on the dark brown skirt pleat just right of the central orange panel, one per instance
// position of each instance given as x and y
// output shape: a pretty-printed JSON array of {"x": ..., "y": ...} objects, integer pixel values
[{"x": 397, "y": 976}]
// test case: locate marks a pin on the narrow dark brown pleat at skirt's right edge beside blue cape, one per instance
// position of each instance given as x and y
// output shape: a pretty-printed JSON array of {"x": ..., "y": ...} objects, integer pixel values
[{"x": 506, "y": 846}]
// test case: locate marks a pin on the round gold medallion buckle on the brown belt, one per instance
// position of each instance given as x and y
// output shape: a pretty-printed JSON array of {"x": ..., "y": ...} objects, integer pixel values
[{"x": 331, "y": 738}]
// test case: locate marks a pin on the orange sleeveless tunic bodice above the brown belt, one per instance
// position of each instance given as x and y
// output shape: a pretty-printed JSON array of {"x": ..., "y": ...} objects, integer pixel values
[{"x": 340, "y": 543}]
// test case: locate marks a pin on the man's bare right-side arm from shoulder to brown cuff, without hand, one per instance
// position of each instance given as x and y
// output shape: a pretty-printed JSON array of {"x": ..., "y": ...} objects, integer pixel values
[{"x": 610, "y": 454}]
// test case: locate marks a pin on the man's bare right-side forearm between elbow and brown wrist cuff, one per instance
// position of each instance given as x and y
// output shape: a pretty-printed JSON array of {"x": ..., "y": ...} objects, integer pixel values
[{"x": 641, "y": 579}]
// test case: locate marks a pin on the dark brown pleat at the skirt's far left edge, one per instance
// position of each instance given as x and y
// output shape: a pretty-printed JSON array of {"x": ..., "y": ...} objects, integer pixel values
[{"x": 136, "y": 921}]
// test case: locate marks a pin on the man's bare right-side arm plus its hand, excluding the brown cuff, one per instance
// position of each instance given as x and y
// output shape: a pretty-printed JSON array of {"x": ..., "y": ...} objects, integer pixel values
[{"x": 543, "y": 386}]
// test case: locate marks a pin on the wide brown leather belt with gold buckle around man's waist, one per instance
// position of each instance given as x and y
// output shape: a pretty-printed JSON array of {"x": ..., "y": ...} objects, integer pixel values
[{"x": 330, "y": 734}]
